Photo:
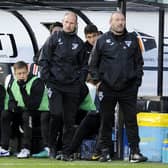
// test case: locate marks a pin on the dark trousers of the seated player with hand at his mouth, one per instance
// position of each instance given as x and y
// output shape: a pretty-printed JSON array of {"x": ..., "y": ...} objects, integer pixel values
[{"x": 23, "y": 119}]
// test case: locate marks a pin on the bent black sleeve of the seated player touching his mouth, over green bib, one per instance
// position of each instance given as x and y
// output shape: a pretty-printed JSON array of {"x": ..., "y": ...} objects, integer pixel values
[{"x": 33, "y": 101}]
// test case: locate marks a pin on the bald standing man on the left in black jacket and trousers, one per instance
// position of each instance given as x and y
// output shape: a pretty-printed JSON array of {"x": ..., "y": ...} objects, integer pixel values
[{"x": 64, "y": 69}]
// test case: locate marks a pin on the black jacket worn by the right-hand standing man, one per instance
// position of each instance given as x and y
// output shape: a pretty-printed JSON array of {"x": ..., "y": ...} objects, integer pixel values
[{"x": 117, "y": 60}]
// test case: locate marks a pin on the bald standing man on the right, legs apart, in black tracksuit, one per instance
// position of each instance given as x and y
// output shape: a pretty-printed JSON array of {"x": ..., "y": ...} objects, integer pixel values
[{"x": 117, "y": 67}]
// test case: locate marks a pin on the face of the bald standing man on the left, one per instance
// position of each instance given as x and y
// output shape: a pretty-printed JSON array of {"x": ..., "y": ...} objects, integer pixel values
[{"x": 69, "y": 23}]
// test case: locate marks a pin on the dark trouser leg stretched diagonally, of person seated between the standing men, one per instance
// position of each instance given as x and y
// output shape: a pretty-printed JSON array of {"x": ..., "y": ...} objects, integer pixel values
[{"x": 88, "y": 128}]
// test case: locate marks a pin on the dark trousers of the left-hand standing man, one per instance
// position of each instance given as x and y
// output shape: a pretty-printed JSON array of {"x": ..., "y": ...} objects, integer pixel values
[{"x": 63, "y": 108}]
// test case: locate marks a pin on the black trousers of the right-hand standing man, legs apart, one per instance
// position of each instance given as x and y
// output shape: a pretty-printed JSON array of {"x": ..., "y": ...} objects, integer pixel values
[{"x": 127, "y": 102}]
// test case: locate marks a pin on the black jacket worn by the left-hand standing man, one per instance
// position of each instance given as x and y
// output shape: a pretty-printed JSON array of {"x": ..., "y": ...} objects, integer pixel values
[{"x": 62, "y": 59}]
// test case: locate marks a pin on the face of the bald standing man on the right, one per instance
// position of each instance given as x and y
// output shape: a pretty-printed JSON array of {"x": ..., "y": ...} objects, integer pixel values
[{"x": 117, "y": 22}]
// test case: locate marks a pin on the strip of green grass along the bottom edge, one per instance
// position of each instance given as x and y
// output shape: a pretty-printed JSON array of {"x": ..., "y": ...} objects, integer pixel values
[{"x": 12, "y": 162}]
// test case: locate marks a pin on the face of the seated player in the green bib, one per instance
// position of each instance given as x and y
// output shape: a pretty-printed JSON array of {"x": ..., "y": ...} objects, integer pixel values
[{"x": 21, "y": 74}]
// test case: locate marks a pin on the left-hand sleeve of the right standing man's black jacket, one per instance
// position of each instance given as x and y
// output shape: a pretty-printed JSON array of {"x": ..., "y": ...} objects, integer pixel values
[{"x": 94, "y": 62}]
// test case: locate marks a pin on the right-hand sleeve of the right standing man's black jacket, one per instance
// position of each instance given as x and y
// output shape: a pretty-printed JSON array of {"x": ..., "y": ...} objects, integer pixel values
[{"x": 139, "y": 62}]
